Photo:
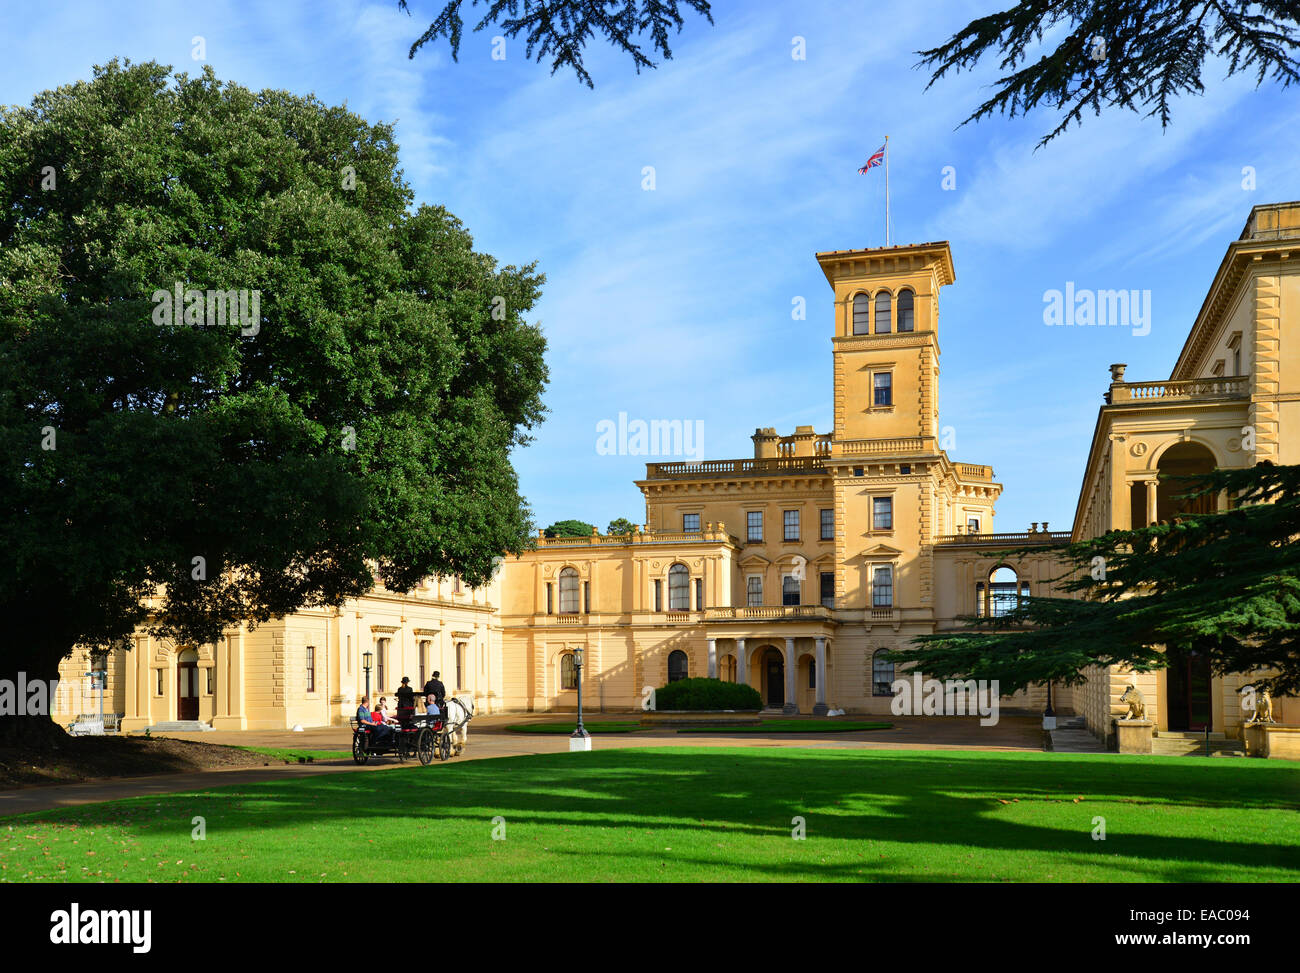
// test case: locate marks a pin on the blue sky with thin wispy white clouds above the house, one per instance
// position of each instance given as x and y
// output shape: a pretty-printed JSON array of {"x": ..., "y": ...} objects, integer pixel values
[{"x": 675, "y": 304}]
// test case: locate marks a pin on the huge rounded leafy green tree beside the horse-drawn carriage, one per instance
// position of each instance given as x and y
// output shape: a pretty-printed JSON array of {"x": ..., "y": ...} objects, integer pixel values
[{"x": 358, "y": 421}]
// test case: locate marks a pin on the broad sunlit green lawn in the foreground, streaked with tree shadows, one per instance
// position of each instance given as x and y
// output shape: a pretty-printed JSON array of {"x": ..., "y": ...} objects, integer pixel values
[{"x": 691, "y": 815}]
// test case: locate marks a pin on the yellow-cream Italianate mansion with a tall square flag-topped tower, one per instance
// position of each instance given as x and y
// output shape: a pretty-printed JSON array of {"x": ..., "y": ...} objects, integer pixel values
[{"x": 799, "y": 568}]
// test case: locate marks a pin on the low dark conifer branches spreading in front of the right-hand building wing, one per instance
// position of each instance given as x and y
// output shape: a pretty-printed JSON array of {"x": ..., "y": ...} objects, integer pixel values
[{"x": 1227, "y": 585}]
